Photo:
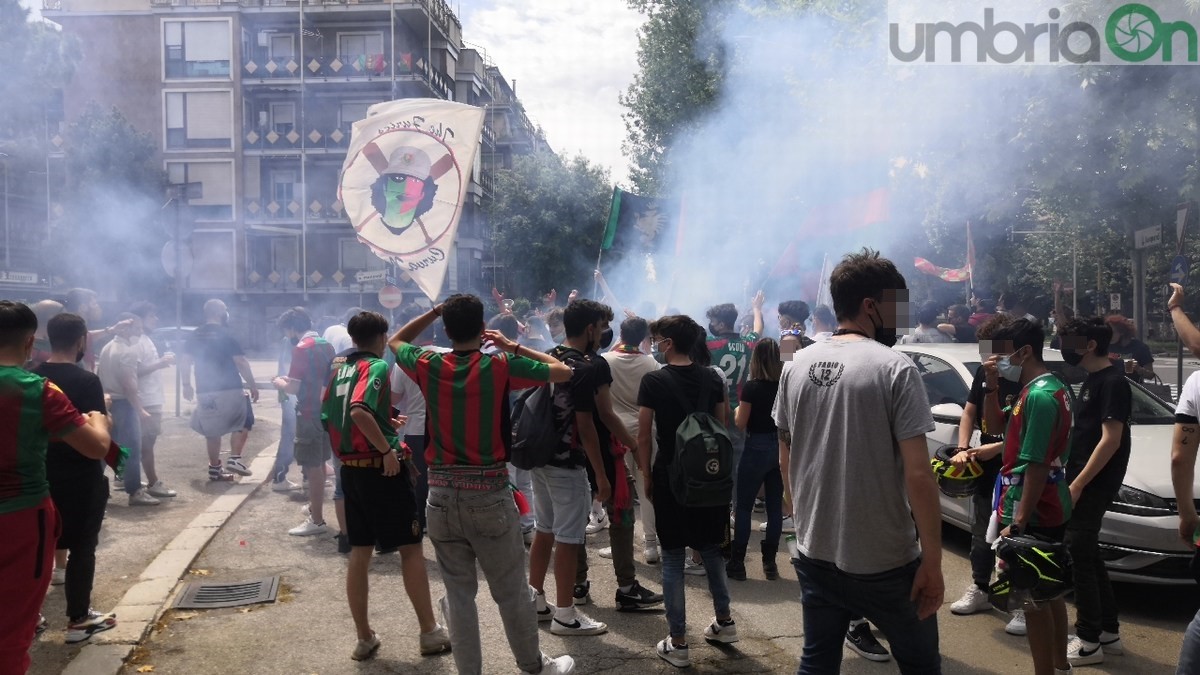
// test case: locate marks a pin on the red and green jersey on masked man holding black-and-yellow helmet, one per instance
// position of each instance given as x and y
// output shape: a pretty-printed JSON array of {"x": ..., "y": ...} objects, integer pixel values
[{"x": 1039, "y": 433}]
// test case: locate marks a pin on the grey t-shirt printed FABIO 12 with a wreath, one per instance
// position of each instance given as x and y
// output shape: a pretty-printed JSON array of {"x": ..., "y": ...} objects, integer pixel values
[{"x": 848, "y": 403}]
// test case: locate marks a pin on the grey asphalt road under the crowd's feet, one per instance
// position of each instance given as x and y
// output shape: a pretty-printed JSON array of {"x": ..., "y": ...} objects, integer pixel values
[{"x": 310, "y": 631}]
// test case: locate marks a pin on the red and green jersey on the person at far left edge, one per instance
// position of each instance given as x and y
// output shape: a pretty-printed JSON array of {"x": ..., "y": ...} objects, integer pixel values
[{"x": 33, "y": 411}]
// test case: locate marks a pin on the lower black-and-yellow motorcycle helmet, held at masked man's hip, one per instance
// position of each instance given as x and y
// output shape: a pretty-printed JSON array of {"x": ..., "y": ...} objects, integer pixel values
[{"x": 1035, "y": 569}]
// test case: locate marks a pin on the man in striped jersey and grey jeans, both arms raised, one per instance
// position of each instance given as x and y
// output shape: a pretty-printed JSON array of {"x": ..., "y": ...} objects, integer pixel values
[{"x": 472, "y": 515}]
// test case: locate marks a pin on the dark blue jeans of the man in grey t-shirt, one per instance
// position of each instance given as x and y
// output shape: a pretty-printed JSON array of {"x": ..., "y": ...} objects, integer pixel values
[{"x": 832, "y": 598}]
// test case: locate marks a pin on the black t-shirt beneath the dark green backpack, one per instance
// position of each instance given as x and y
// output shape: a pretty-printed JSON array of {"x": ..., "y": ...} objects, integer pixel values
[{"x": 658, "y": 393}]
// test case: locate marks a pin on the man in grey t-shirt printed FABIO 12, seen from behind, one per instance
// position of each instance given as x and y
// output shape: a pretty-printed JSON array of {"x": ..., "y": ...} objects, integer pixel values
[{"x": 880, "y": 458}]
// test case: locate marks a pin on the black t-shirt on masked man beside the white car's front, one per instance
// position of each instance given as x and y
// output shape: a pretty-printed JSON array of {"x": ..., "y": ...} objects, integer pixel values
[{"x": 1105, "y": 396}]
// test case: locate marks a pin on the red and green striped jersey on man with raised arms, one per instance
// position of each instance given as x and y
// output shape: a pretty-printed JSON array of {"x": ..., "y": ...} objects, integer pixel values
[{"x": 467, "y": 403}]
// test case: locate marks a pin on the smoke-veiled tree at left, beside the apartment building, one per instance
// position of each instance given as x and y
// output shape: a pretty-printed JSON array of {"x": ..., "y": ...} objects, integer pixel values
[{"x": 113, "y": 206}]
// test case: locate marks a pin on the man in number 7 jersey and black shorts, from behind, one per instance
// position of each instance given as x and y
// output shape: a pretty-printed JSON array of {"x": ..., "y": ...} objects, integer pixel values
[{"x": 377, "y": 477}]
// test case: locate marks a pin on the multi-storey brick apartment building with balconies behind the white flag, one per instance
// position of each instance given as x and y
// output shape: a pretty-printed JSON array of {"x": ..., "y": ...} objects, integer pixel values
[{"x": 254, "y": 101}]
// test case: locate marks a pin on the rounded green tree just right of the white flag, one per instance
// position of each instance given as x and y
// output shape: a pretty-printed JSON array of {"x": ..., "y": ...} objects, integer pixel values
[{"x": 548, "y": 222}]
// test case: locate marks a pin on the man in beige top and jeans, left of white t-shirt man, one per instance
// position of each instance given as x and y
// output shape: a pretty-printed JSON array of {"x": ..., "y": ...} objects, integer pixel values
[{"x": 118, "y": 369}]
